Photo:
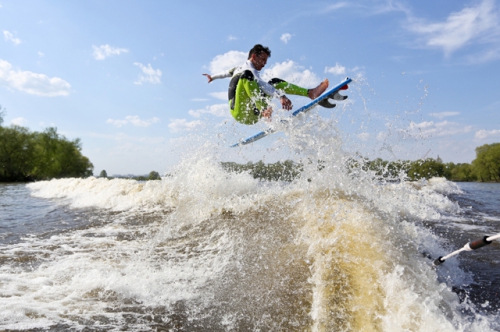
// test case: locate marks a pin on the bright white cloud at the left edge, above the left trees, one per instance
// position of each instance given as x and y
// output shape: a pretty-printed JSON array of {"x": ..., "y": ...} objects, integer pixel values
[{"x": 32, "y": 83}]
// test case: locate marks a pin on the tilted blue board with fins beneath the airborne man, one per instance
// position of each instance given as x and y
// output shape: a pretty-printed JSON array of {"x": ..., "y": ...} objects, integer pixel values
[{"x": 323, "y": 100}]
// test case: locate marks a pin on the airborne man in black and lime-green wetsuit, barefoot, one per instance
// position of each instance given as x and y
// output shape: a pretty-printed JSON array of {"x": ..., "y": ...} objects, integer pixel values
[{"x": 249, "y": 95}]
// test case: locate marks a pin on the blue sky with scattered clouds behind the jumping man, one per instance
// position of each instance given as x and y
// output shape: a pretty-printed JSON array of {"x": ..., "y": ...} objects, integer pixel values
[{"x": 126, "y": 76}]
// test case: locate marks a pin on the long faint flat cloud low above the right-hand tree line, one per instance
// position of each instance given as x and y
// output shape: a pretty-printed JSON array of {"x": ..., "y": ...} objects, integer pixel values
[{"x": 430, "y": 129}]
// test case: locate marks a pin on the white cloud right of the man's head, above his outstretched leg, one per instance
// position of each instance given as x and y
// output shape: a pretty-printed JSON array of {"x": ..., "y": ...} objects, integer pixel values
[{"x": 293, "y": 73}]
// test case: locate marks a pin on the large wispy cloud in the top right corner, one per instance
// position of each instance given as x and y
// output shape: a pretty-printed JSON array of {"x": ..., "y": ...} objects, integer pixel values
[{"x": 471, "y": 25}]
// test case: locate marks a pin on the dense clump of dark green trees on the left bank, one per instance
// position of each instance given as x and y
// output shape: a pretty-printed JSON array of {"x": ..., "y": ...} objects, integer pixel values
[{"x": 31, "y": 156}]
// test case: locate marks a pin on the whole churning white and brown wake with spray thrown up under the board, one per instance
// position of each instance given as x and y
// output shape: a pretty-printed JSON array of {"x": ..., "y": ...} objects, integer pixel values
[{"x": 337, "y": 249}]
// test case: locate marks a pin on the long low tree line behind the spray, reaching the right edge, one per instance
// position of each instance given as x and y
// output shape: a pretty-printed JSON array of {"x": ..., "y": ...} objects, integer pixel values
[{"x": 485, "y": 168}]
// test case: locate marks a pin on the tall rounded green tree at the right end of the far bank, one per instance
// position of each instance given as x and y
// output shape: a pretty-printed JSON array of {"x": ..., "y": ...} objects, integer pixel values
[{"x": 487, "y": 163}]
